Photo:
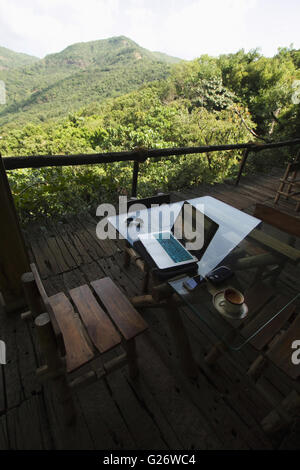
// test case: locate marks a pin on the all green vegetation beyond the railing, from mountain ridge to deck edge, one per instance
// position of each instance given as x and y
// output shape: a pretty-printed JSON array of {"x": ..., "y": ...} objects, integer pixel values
[{"x": 203, "y": 102}]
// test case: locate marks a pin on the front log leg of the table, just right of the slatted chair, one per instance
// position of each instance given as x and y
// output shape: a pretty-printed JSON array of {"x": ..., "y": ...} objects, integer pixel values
[{"x": 180, "y": 337}]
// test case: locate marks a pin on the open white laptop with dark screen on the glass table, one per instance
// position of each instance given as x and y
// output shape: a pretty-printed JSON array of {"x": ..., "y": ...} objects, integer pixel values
[{"x": 166, "y": 249}]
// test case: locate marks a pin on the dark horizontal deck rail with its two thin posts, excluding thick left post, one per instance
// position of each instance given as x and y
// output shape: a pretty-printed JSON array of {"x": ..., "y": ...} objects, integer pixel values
[{"x": 138, "y": 155}]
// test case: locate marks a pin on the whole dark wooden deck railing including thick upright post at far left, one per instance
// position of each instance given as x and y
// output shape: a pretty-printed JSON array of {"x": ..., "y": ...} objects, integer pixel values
[{"x": 13, "y": 254}]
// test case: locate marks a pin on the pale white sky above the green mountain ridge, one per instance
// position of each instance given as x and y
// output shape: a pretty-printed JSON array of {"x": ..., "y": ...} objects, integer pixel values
[{"x": 182, "y": 28}]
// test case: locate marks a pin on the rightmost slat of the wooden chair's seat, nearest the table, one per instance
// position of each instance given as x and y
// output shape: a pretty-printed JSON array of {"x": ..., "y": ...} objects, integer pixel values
[{"x": 124, "y": 315}]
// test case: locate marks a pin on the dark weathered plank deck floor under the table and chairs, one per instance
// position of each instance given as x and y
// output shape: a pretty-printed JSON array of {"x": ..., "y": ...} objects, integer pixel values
[{"x": 162, "y": 410}]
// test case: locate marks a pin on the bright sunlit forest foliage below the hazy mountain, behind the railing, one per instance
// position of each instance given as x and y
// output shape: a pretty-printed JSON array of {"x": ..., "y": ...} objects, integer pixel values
[{"x": 138, "y": 118}]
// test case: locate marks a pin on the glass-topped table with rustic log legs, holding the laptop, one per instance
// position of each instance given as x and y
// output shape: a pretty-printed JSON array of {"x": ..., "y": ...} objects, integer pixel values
[{"x": 242, "y": 246}]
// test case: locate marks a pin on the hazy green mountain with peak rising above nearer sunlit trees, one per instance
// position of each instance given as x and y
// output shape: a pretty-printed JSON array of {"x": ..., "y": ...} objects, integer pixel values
[{"x": 80, "y": 74}]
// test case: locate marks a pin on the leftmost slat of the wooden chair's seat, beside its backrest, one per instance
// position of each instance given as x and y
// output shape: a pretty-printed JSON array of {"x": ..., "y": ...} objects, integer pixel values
[{"x": 78, "y": 350}]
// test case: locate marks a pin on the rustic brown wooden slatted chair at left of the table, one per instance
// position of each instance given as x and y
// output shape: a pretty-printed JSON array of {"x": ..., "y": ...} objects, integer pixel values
[{"x": 74, "y": 332}]
